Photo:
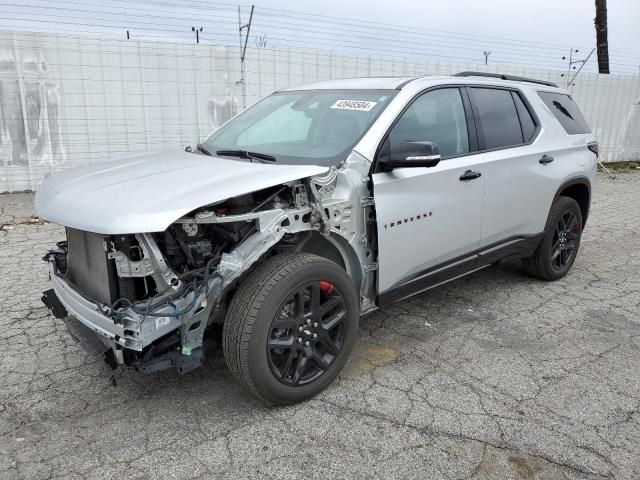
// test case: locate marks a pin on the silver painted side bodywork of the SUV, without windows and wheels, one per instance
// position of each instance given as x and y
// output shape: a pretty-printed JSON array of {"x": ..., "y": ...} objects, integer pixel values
[{"x": 512, "y": 198}]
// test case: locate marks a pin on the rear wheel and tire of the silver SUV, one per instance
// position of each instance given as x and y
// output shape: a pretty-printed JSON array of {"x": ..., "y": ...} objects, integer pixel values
[{"x": 558, "y": 249}]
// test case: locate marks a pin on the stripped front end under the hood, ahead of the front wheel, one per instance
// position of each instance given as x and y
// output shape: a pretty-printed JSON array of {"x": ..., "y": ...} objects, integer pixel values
[{"x": 146, "y": 300}]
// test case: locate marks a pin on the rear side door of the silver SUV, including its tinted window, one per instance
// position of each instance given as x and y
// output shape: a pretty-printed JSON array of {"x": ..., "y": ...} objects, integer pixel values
[{"x": 517, "y": 178}]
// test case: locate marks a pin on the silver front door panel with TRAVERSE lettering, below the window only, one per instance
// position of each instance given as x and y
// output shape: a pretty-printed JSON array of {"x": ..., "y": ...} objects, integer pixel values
[{"x": 426, "y": 216}]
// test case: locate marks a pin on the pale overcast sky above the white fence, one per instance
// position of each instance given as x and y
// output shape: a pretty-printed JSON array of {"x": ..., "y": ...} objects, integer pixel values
[{"x": 533, "y": 33}]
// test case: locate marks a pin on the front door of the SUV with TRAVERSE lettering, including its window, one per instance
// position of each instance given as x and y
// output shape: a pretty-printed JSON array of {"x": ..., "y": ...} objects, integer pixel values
[{"x": 429, "y": 219}]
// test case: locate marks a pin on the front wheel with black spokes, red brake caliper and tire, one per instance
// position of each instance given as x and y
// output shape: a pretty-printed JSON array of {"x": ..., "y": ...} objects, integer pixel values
[{"x": 290, "y": 327}]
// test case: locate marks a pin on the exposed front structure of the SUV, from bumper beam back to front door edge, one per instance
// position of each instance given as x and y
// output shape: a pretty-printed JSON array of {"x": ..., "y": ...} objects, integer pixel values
[{"x": 152, "y": 297}]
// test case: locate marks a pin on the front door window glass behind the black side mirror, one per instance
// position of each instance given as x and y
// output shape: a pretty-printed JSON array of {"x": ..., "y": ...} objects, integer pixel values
[{"x": 438, "y": 117}]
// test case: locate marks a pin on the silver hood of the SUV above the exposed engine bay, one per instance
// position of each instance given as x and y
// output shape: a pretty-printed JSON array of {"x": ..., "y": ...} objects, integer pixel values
[{"x": 149, "y": 191}]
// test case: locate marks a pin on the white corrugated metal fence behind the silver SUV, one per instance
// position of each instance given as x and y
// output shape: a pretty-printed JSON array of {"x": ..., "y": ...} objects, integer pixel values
[{"x": 68, "y": 100}]
